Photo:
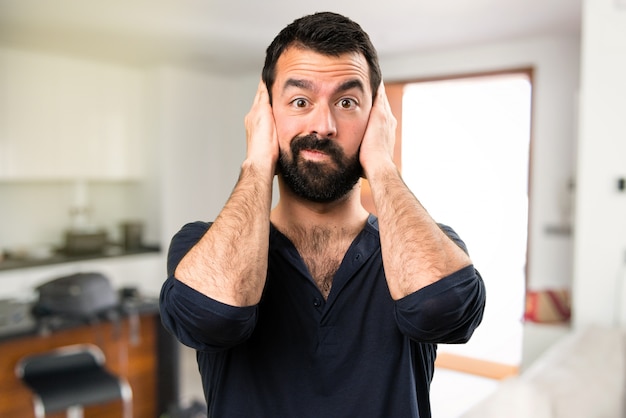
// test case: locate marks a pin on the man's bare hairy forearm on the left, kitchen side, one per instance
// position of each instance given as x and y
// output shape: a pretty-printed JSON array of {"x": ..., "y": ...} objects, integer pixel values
[{"x": 229, "y": 263}]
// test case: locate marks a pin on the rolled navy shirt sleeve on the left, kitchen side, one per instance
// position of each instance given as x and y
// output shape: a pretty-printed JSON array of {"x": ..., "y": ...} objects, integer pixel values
[{"x": 196, "y": 320}]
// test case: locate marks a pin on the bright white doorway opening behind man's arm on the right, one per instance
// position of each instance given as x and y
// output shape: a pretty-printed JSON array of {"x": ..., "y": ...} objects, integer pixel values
[{"x": 465, "y": 155}]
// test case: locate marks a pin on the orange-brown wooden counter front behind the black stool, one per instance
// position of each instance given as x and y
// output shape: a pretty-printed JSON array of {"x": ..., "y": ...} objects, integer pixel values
[{"x": 131, "y": 346}]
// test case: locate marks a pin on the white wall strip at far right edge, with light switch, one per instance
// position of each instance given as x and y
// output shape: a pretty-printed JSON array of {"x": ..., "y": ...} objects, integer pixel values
[{"x": 600, "y": 244}]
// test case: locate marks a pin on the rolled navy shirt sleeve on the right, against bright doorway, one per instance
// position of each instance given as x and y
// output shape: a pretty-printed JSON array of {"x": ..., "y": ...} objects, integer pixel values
[{"x": 447, "y": 311}]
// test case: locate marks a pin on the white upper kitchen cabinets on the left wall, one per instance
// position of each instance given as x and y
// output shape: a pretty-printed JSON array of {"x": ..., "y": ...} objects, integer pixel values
[{"x": 65, "y": 118}]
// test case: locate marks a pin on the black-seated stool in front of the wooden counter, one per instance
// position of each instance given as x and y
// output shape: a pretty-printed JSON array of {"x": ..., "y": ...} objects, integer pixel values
[{"x": 70, "y": 378}]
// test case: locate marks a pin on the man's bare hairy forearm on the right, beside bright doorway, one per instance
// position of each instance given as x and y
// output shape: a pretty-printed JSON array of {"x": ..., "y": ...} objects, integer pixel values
[{"x": 416, "y": 252}]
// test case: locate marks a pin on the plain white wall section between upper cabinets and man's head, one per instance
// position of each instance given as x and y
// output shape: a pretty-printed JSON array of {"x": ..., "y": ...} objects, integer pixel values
[{"x": 201, "y": 136}]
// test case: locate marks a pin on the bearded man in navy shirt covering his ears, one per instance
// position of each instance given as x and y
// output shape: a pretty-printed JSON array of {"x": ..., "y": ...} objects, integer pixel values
[{"x": 316, "y": 308}]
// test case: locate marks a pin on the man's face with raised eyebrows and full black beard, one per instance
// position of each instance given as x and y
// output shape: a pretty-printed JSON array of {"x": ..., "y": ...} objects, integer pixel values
[{"x": 321, "y": 106}]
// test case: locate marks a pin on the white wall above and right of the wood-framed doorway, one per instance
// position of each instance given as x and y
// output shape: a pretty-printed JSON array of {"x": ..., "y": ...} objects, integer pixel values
[{"x": 555, "y": 84}]
